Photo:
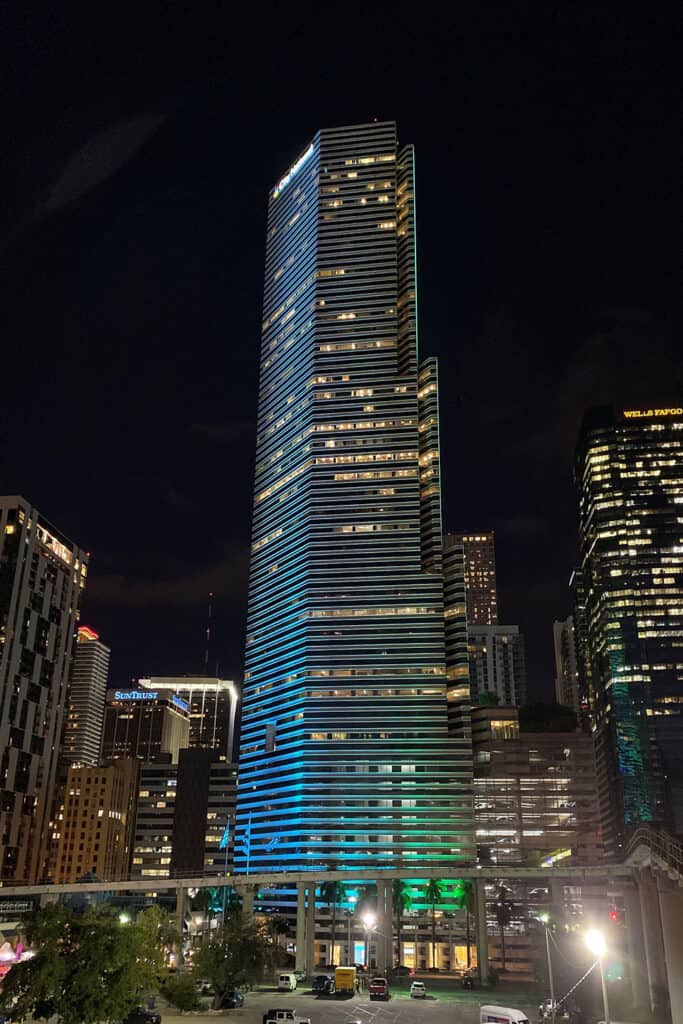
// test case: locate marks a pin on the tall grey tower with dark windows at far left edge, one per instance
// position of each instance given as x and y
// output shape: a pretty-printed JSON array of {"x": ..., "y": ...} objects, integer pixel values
[{"x": 42, "y": 576}]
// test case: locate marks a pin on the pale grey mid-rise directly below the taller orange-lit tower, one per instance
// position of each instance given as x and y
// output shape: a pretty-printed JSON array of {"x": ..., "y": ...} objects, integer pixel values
[{"x": 498, "y": 664}]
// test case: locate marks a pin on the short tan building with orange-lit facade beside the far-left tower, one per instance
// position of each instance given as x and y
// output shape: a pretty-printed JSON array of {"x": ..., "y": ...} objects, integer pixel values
[{"x": 95, "y": 830}]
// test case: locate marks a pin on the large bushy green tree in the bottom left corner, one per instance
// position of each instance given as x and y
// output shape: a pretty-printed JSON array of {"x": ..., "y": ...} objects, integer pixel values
[{"x": 88, "y": 968}]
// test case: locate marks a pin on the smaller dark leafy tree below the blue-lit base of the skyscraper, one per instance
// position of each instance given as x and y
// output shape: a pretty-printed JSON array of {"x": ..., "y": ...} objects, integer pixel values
[{"x": 235, "y": 959}]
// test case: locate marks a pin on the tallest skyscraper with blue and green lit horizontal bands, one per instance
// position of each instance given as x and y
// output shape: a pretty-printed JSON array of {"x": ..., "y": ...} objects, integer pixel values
[{"x": 346, "y": 756}]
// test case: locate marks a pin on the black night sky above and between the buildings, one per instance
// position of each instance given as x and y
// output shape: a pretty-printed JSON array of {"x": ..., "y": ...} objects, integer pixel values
[{"x": 140, "y": 147}]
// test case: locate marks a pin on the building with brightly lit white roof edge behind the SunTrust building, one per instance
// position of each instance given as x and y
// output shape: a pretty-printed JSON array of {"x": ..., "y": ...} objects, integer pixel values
[{"x": 214, "y": 705}]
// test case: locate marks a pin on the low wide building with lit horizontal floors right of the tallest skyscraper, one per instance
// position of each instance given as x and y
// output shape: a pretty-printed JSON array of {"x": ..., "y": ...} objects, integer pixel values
[{"x": 534, "y": 793}]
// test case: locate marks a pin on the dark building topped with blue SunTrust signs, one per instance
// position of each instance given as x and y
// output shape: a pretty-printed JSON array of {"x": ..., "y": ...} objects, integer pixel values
[{"x": 146, "y": 726}]
